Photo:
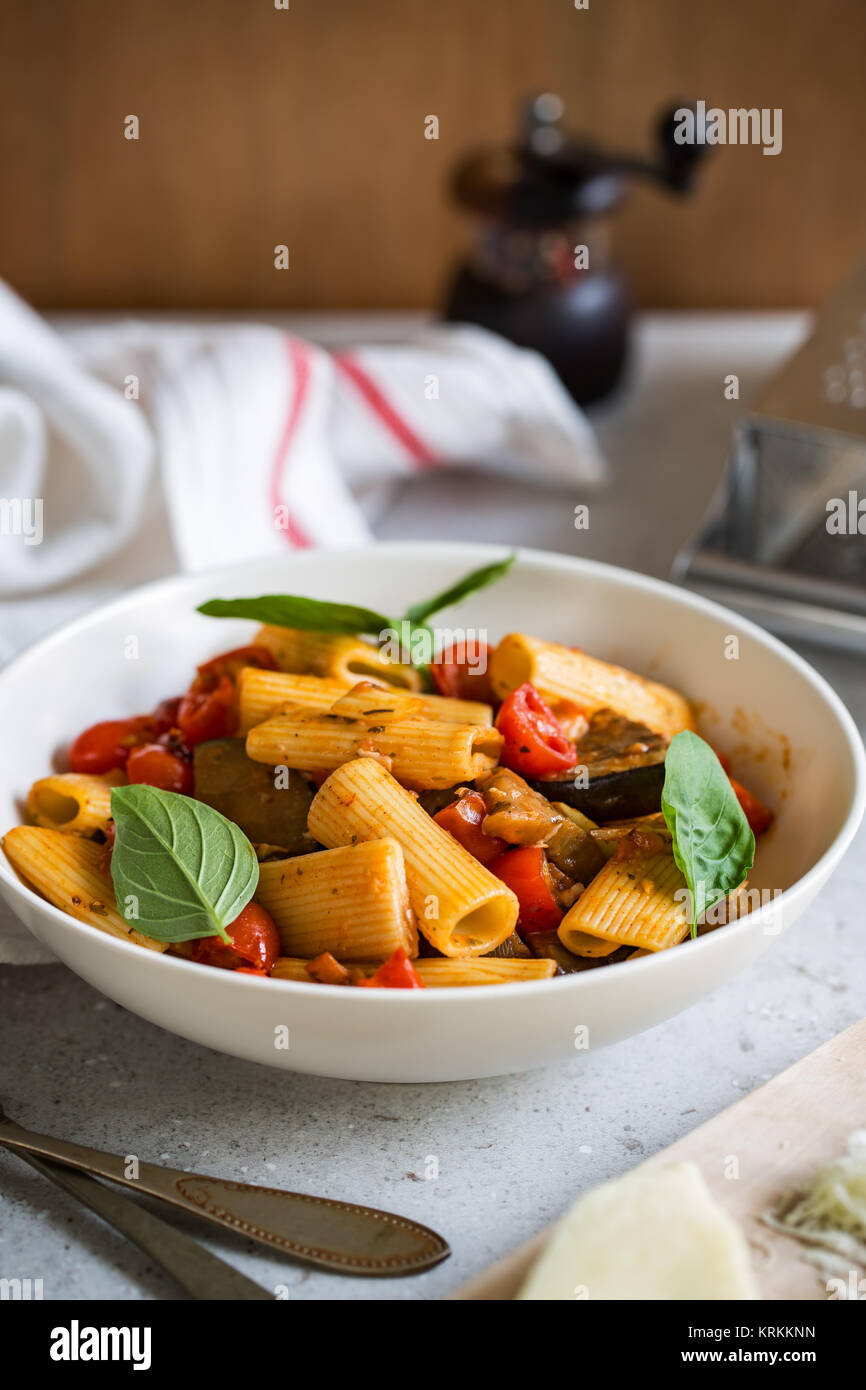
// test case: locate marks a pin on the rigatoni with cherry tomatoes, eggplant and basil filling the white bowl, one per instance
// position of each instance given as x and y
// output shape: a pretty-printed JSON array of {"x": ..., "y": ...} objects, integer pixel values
[{"x": 357, "y": 801}]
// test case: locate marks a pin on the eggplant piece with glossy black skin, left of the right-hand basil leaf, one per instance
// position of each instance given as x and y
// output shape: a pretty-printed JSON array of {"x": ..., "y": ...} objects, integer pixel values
[{"x": 625, "y": 765}]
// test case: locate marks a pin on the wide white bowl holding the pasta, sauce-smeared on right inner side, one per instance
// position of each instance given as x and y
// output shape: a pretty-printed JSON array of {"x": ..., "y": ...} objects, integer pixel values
[{"x": 792, "y": 739}]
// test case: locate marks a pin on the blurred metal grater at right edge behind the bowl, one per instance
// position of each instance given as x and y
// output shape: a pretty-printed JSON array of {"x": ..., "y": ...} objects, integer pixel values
[{"x": 781, "y": 541}]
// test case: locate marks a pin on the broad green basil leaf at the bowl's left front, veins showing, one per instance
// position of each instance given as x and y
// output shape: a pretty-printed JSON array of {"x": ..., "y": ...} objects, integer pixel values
[{"x": 180, "y": 869}]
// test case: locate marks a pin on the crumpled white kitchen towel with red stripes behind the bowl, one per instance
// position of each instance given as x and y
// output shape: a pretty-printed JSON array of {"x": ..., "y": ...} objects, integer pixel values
[{"x": 258, "y": 440}]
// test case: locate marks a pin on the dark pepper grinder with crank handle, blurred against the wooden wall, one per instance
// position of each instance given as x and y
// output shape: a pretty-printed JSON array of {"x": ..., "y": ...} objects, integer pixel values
[{"x": 541, "y": 270}]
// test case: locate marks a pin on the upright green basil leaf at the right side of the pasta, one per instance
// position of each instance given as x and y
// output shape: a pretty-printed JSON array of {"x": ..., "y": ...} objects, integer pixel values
[{"x": 714, "y": 843}]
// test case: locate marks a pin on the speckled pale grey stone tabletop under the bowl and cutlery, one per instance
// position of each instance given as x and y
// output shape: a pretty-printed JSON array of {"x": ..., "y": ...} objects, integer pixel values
[{"x": 512, "y": 1153}]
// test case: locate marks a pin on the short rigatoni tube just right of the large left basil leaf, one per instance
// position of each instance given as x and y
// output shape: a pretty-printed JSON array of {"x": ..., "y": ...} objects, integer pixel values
[{"x": 351, "y": 901}]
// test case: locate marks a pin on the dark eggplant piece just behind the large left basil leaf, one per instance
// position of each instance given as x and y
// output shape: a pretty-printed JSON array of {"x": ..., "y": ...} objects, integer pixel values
[{"x": 247, "y": 793}]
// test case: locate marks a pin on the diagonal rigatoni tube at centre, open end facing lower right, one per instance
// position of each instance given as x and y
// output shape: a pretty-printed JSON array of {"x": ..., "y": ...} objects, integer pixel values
[{"x": 461, "y": 907}]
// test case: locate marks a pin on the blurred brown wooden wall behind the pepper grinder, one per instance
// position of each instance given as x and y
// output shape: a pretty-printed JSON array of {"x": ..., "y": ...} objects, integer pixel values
[{"x": 307, "y": 127}]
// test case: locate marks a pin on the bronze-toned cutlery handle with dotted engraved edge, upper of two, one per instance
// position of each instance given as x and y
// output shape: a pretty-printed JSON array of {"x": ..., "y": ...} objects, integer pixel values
[{"x": 338, "y": 1236}]
